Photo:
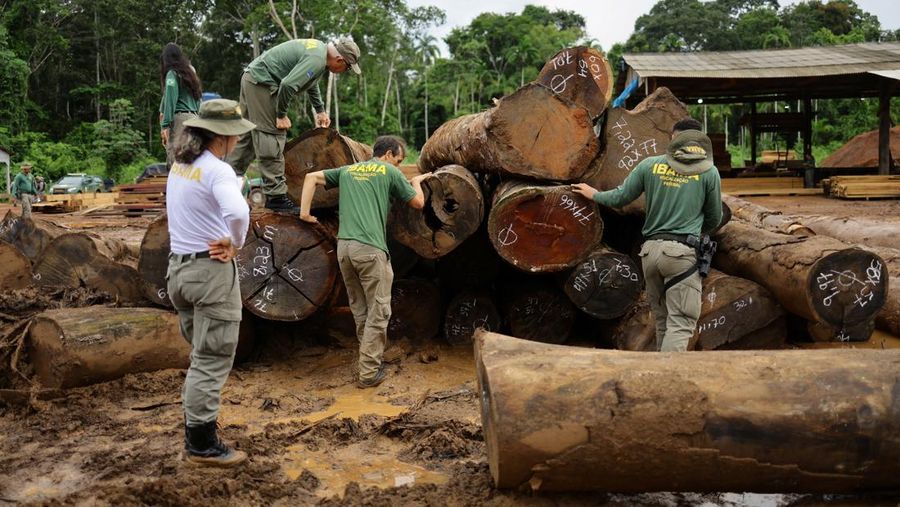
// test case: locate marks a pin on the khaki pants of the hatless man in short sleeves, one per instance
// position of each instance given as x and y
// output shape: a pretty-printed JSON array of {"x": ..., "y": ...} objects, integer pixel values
[{"x": 368, "y": 276}]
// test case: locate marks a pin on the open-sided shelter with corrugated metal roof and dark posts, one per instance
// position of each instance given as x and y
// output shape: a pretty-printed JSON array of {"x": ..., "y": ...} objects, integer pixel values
[{"x": 847, "y": 71}]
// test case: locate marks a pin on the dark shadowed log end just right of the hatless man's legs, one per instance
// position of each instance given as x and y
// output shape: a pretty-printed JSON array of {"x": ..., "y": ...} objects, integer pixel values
[{"x": 415, "y": 310}]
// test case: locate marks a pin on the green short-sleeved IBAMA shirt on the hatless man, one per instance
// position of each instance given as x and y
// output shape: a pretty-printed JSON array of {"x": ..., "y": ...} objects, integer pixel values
[{"x": 366, "y": 190}]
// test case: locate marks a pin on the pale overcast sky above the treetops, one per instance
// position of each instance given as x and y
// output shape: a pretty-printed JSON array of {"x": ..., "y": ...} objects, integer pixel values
[{"x": 608, "y": 21}]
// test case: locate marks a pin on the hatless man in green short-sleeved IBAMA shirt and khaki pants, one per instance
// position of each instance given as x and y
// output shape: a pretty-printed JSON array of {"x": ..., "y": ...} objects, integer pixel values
[{"x": 365, "y": 192}]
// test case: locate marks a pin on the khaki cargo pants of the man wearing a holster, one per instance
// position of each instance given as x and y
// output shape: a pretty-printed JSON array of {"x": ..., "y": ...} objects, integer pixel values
[{"x": 675, "y": 311}]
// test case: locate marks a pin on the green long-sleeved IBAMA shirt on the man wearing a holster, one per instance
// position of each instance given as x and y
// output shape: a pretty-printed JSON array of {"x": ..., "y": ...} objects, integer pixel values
[{"x": 676, "y": 203}]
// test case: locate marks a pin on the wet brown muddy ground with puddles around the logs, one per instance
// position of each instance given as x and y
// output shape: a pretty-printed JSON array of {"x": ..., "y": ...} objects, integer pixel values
[{"x": 313, "y": 437}]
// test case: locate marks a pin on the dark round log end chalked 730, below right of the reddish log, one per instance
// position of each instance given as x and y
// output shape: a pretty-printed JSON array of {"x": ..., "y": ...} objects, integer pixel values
[{"x": 605, "y": 285}]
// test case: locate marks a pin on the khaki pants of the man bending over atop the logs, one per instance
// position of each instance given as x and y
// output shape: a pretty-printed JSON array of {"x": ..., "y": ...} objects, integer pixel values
[{"x": 266, "y": 141}]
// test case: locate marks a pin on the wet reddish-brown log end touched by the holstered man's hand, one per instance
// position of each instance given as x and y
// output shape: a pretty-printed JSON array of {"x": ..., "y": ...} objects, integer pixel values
[{"x": 543, "y": 229}]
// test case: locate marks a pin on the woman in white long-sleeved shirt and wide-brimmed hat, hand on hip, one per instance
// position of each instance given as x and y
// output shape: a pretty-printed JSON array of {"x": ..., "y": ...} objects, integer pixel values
[{"x": 208, "y": 222}]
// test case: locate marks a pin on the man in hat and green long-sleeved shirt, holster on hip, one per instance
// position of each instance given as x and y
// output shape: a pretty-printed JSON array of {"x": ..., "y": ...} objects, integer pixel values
[{"x": 683, "y": 193}]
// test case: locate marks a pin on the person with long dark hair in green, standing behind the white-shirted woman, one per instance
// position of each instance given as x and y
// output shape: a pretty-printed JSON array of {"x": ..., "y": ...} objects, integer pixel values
[{"x": 181, "y": 96}]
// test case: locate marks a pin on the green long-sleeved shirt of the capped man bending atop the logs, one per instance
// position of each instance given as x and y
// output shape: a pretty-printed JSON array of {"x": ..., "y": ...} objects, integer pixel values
[{"x": 291, "y": 67}]
